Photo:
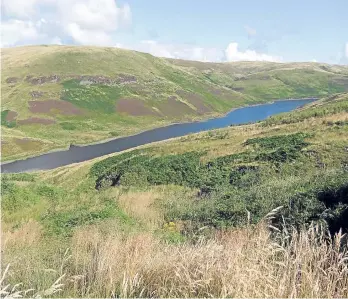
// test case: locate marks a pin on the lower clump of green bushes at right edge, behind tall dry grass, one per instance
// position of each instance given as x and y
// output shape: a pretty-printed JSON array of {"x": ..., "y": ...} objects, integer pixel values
[{"x": 302, "y": 200}]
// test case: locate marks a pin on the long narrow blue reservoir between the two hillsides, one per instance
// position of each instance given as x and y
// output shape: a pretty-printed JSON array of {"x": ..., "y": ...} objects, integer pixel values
[{"x": 82, "y": 153}]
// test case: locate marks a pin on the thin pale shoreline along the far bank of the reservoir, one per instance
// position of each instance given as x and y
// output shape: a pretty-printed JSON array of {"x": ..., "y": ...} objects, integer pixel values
[{"x": 207, "y": 118}]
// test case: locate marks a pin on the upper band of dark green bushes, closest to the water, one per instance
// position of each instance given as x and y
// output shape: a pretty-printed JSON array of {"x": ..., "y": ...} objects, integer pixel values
[{"x": 138, "y": 168}]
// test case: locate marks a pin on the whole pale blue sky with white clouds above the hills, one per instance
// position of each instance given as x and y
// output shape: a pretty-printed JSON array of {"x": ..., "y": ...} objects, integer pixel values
[{"x": 204, "y": 30}]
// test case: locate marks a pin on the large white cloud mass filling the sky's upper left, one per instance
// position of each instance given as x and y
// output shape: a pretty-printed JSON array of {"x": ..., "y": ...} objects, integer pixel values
[{"x": 84, "y": 21}]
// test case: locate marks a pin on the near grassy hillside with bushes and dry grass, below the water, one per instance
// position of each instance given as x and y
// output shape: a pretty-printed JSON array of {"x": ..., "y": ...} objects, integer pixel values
[{"x": 233, "y": 212}]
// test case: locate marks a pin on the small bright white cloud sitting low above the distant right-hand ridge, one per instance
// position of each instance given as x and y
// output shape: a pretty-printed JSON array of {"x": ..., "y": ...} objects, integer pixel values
[{"x": 233, "y": 54}]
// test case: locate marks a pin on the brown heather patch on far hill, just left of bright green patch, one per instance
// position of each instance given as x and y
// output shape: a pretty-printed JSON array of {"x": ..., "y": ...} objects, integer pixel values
[{"x": 46, "y": 107}]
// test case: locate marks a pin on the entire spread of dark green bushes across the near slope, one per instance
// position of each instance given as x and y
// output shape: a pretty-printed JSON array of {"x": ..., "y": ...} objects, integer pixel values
[{"x": 234, "y": 186}]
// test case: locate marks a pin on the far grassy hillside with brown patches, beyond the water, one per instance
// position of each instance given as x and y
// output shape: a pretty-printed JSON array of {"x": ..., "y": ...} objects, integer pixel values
[{"x": 56, "y": 95}]
